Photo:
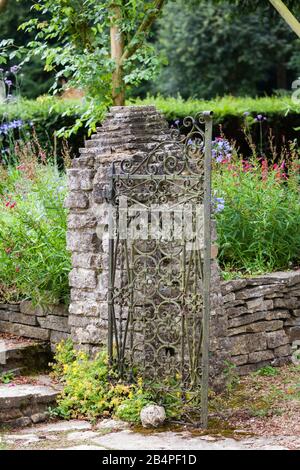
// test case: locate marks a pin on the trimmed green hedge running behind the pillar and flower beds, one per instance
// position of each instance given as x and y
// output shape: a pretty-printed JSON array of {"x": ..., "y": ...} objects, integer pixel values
[{"x": 50, "y": 114}]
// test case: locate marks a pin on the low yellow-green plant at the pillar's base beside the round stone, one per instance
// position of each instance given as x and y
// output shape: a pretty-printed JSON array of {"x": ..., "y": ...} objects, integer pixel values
[{"x": 91, "y": 389}]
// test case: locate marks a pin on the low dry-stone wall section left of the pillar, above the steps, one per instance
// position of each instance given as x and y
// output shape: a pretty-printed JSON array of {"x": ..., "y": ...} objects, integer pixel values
[{"x": 45, "y": 324}]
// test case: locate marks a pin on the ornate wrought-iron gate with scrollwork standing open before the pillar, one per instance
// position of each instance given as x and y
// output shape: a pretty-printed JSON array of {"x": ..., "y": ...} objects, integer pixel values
[{"x": 159, "y": 265}]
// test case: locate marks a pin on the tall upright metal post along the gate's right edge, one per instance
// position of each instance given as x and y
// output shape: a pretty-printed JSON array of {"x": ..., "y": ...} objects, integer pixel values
[{"x": 206, "y": 268}]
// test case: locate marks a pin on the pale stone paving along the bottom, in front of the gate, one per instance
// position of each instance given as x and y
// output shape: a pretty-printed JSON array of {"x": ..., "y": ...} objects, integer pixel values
[{"x": 113, "y": 435}]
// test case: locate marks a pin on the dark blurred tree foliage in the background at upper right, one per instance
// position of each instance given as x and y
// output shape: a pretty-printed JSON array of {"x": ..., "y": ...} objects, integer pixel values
[{"x": 211, "y": 52}]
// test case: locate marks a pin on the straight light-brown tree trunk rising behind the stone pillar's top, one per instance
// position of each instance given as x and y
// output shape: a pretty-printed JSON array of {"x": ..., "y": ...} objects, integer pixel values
[{"x": 117, "y": 48}]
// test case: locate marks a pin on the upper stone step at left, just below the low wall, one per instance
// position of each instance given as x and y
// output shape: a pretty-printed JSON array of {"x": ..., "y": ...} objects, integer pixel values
[{"x": 23, "y": 356}]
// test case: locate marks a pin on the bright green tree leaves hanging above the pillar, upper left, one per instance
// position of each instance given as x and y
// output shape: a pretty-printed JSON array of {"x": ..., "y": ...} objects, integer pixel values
[{"x": 73, "y": 40}]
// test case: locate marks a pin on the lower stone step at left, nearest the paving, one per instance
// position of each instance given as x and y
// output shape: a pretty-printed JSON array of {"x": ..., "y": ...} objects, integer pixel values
[{"x": 23, "y": 405}]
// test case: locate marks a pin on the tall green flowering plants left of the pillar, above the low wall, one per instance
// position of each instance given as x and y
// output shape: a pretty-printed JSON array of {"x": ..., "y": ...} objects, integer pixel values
[{"x": 33, "y": 256}]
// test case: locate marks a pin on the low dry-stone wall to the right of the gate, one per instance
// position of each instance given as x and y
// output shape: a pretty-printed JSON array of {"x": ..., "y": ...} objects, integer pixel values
[{"x": 263, "y": 319}]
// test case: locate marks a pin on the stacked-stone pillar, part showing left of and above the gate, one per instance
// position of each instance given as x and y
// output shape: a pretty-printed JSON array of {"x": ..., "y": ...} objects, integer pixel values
[{"x": 126, "y": 131}]
